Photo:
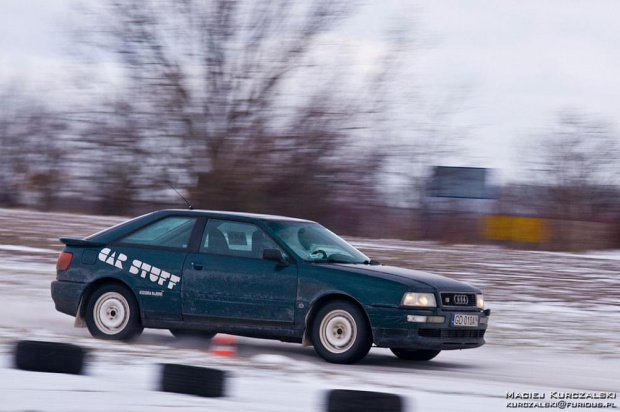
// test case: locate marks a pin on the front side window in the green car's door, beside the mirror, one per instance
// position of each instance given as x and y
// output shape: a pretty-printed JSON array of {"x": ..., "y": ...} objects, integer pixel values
[{"x": 224, "y": 237}]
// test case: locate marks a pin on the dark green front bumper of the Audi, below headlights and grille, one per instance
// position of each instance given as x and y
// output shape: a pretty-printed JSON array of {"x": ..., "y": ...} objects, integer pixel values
[{"x": 391, "y": 329}]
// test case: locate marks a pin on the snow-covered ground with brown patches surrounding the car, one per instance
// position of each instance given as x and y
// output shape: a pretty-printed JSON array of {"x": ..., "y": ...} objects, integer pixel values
[{"x": 554, "y": 327}]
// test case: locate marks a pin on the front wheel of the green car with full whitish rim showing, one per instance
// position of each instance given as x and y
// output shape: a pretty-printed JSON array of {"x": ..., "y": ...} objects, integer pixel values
[{"x": 340, "y": 333}]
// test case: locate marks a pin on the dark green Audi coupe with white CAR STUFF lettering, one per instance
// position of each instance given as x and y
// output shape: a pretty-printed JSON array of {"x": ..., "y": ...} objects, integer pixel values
[{"x": 201, "y": 272}]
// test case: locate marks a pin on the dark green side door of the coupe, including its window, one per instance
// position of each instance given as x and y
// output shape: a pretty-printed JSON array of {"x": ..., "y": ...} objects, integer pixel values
[{"x": 228, "y": 279}]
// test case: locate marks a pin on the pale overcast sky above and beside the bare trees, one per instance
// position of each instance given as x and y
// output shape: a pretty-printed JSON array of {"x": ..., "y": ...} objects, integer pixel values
[{"x": 521, "y": 60}]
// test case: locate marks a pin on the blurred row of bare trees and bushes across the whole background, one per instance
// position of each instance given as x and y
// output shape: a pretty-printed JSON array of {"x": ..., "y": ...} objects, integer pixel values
[{"x": 249, "y": 106}]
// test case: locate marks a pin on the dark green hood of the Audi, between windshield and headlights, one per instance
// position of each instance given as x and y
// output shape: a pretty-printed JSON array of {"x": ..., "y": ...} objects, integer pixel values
[{"x": 441, "y": 283}]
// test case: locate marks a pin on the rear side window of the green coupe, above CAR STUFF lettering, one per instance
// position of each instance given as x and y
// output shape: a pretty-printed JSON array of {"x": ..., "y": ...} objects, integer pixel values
[{"x": 174, "y": 232}]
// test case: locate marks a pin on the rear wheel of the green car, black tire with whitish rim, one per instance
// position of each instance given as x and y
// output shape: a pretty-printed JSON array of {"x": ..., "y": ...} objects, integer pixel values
[{"x": 112, "y": 313}]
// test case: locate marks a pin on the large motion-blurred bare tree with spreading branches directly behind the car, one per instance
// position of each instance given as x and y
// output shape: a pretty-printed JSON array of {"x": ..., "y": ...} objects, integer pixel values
[{"x": 207, "y": 92}]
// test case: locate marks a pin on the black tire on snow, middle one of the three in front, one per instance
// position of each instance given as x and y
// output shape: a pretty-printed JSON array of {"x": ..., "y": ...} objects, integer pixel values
[{"x": 193, "y": 380}]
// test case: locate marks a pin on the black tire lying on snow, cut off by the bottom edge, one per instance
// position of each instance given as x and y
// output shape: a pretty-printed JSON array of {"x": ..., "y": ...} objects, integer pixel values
[{"x": 340, "y": 400}]
